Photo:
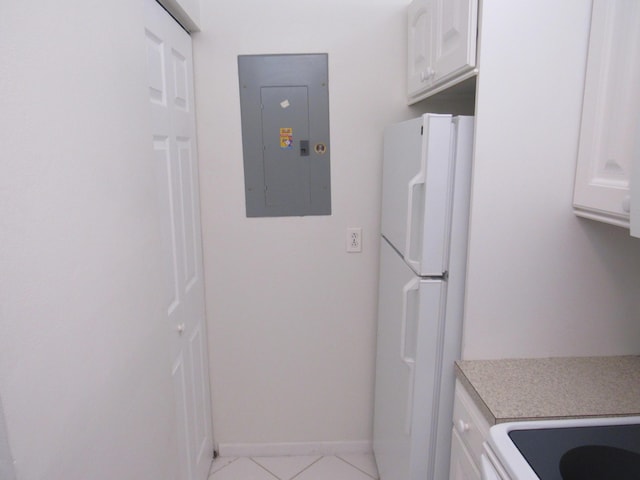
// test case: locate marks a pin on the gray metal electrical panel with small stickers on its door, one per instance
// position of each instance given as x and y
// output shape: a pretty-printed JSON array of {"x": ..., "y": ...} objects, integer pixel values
[{"x": 285, "y": 134}]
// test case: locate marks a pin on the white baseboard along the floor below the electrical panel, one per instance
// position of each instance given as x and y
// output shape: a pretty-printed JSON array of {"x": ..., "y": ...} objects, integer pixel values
[{"x": 295, "y": 448}]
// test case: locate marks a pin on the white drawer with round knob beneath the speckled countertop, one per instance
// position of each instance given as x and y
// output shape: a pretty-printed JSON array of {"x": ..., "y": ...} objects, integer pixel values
[{"x": 469, "y": 423}]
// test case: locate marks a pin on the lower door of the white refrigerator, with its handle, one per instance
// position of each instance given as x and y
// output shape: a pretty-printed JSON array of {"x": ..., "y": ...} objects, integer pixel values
[{"x": 410, "y": 330}]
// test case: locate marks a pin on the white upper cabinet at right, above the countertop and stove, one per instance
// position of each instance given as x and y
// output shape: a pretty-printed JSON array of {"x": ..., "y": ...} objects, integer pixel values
[{"x": 610, "y": 114}]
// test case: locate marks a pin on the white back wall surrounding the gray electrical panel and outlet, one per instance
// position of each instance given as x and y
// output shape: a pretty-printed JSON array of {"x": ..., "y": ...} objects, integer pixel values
[{"x": 292, "y": 316}]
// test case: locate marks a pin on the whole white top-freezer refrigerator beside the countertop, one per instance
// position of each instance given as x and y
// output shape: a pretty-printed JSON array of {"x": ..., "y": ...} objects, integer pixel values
[{"x": 425, "y": 210}]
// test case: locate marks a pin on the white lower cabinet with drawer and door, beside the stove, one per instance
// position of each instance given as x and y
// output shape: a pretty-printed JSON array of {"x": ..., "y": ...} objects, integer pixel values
[{"x": 470, "y": 430}]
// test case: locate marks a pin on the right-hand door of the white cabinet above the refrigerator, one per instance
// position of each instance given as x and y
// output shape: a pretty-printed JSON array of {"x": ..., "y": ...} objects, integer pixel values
[{"x": 455, "y": 38}]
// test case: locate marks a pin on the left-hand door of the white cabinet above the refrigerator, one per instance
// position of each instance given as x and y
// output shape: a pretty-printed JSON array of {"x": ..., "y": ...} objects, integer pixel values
[{"x": 421, "y": 38}]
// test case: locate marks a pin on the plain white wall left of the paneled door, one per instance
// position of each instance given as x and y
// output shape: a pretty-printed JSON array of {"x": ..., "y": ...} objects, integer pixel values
[{"x": 84, "y": 375}]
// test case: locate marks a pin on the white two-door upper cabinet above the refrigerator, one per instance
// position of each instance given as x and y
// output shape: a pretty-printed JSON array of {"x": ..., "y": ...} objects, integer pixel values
[{"x": 442, "y": 45}]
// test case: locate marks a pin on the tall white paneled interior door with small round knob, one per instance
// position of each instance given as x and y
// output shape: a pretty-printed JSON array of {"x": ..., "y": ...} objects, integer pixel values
[{"x": 170, "y": 67}]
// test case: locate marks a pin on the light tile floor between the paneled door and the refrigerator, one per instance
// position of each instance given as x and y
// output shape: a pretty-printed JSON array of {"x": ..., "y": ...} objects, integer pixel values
[{"x": 339, "y": 467}]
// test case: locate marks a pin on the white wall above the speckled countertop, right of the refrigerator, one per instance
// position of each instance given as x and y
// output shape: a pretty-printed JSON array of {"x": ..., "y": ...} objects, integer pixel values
[{"x": 541, "y": 282}]
